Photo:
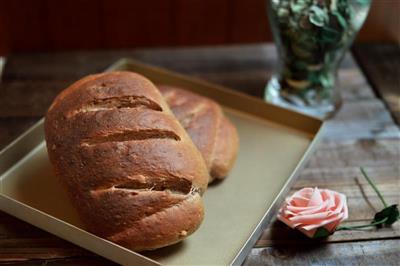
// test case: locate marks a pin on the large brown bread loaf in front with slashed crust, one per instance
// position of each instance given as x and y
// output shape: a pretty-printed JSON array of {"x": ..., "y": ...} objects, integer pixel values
[{"x": 130, "y": 169}]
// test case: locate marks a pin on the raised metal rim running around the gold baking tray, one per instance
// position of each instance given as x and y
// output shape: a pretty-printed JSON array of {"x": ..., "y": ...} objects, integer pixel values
[{"x": 28, "y": 141}]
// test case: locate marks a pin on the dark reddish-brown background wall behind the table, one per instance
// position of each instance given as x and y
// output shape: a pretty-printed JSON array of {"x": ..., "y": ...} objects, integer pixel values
[{"x": 52, "y": 25}]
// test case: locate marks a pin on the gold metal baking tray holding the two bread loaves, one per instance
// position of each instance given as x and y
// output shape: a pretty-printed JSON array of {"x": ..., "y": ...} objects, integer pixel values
[{"x": 274, "y": 144}]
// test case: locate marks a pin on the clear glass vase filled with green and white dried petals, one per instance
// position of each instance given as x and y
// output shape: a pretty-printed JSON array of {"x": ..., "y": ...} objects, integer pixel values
[{"x": 311, "y": 37}]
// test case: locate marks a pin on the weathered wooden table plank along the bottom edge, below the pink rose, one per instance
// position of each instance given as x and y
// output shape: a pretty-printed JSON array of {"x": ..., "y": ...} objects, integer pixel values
[{"x": 315, "y": 253}]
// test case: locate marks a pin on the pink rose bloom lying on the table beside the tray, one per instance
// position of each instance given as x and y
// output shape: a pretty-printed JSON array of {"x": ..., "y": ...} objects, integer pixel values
[{"x": 310, "y": 209}]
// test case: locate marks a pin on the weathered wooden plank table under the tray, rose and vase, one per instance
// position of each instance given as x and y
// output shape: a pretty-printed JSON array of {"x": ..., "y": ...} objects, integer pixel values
[{"x": 362, "y": 134}]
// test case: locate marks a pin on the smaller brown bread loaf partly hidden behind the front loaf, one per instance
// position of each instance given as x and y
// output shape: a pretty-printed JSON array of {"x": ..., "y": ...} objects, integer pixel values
[{"x": 212, "y": 133}]
